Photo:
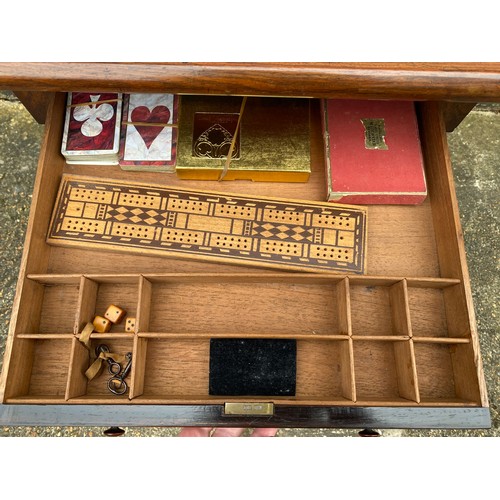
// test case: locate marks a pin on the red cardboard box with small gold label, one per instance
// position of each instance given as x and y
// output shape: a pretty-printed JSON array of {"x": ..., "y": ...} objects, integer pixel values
[{"x": 373, "y": 153}]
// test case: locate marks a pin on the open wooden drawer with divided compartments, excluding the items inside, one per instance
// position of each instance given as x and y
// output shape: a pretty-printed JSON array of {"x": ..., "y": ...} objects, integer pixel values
[{"x": 396, "y": 347}]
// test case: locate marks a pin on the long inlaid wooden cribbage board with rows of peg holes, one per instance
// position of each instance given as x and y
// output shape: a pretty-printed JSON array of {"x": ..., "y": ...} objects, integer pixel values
[{"x": 234, "y": 229}]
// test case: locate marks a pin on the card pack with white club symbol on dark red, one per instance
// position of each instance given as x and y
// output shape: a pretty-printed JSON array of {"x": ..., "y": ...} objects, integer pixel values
[{"x": 92, "y": 128}]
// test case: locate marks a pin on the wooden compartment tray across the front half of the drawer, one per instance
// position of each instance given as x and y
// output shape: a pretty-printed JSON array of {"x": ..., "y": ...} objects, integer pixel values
[{"x": 359, "y": 347}]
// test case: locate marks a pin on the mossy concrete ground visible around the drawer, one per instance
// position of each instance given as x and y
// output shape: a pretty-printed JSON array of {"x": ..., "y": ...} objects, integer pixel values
[{"x": 475, "y": 154}]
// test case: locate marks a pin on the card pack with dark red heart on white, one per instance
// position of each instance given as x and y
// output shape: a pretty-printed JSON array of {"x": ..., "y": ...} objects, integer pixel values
[{"x": 149, "y": 132}]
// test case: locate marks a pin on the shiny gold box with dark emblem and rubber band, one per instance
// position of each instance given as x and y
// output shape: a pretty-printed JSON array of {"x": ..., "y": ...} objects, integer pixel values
[{"x": 272, "y": 142}]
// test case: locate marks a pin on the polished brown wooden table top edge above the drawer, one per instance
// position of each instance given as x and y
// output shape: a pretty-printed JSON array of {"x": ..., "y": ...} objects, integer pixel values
[{"x": 469, "y": 82}]
